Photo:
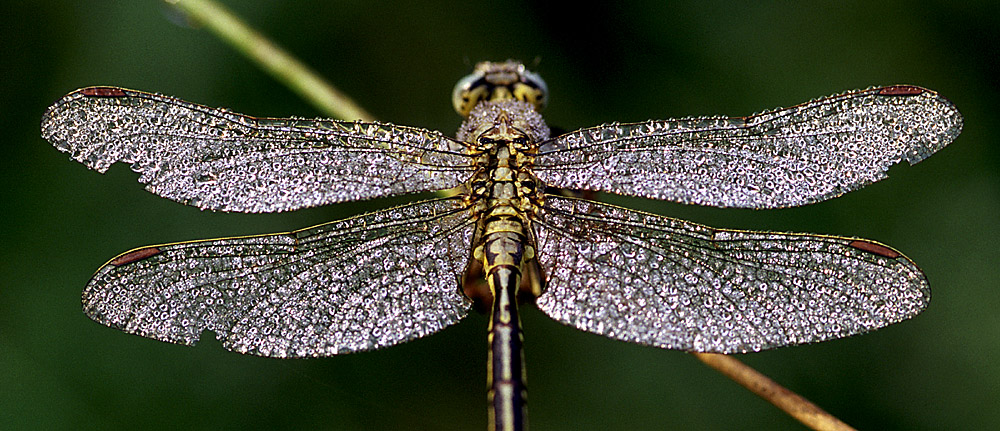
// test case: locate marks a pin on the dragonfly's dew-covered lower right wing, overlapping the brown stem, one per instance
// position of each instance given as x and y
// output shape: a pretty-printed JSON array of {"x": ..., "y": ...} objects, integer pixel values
[{"x": 674, "y": 284}]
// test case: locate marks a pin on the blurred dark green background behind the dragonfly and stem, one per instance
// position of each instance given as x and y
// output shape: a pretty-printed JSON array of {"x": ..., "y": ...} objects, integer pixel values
[{"x": 624, "y": 62}]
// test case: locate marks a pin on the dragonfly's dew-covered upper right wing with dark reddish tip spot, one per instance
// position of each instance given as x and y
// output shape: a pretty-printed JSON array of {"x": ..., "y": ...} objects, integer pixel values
[{"x": 786, "y": 157}]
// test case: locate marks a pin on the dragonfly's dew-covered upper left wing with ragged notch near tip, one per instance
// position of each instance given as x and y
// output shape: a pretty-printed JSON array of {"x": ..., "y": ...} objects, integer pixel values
[{"x": 220, "y": 160}]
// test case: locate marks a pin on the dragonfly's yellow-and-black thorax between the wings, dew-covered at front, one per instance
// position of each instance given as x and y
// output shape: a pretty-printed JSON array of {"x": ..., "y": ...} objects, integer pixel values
[{"x": 503, "y": 195}]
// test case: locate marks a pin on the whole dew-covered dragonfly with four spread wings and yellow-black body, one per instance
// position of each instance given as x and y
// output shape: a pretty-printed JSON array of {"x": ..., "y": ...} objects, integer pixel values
[{"x": 503, "y": 235}]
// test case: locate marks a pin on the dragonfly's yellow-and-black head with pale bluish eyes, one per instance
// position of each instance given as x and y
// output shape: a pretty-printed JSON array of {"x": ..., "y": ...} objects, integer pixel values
[{"x": 489, "y": 81}]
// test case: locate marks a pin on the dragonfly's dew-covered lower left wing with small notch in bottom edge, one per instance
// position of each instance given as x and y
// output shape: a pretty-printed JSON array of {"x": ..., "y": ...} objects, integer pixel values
[{"x": 358, "y": 284}]
